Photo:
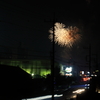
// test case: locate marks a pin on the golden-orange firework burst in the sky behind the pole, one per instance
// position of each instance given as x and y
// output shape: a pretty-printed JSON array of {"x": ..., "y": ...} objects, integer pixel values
[{"x": 64, "y": 36}]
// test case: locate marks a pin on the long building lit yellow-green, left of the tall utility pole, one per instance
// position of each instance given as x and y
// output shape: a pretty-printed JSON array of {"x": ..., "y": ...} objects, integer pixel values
[{"x": 33, "y": 67}]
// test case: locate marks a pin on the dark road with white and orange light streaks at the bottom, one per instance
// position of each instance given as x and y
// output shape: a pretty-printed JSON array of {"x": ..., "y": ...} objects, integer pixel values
[{"x": 70, "y": 93}]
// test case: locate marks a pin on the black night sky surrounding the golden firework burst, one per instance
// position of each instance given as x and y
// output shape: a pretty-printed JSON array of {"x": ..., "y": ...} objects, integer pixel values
[{"x": 27, "y": 23}]
